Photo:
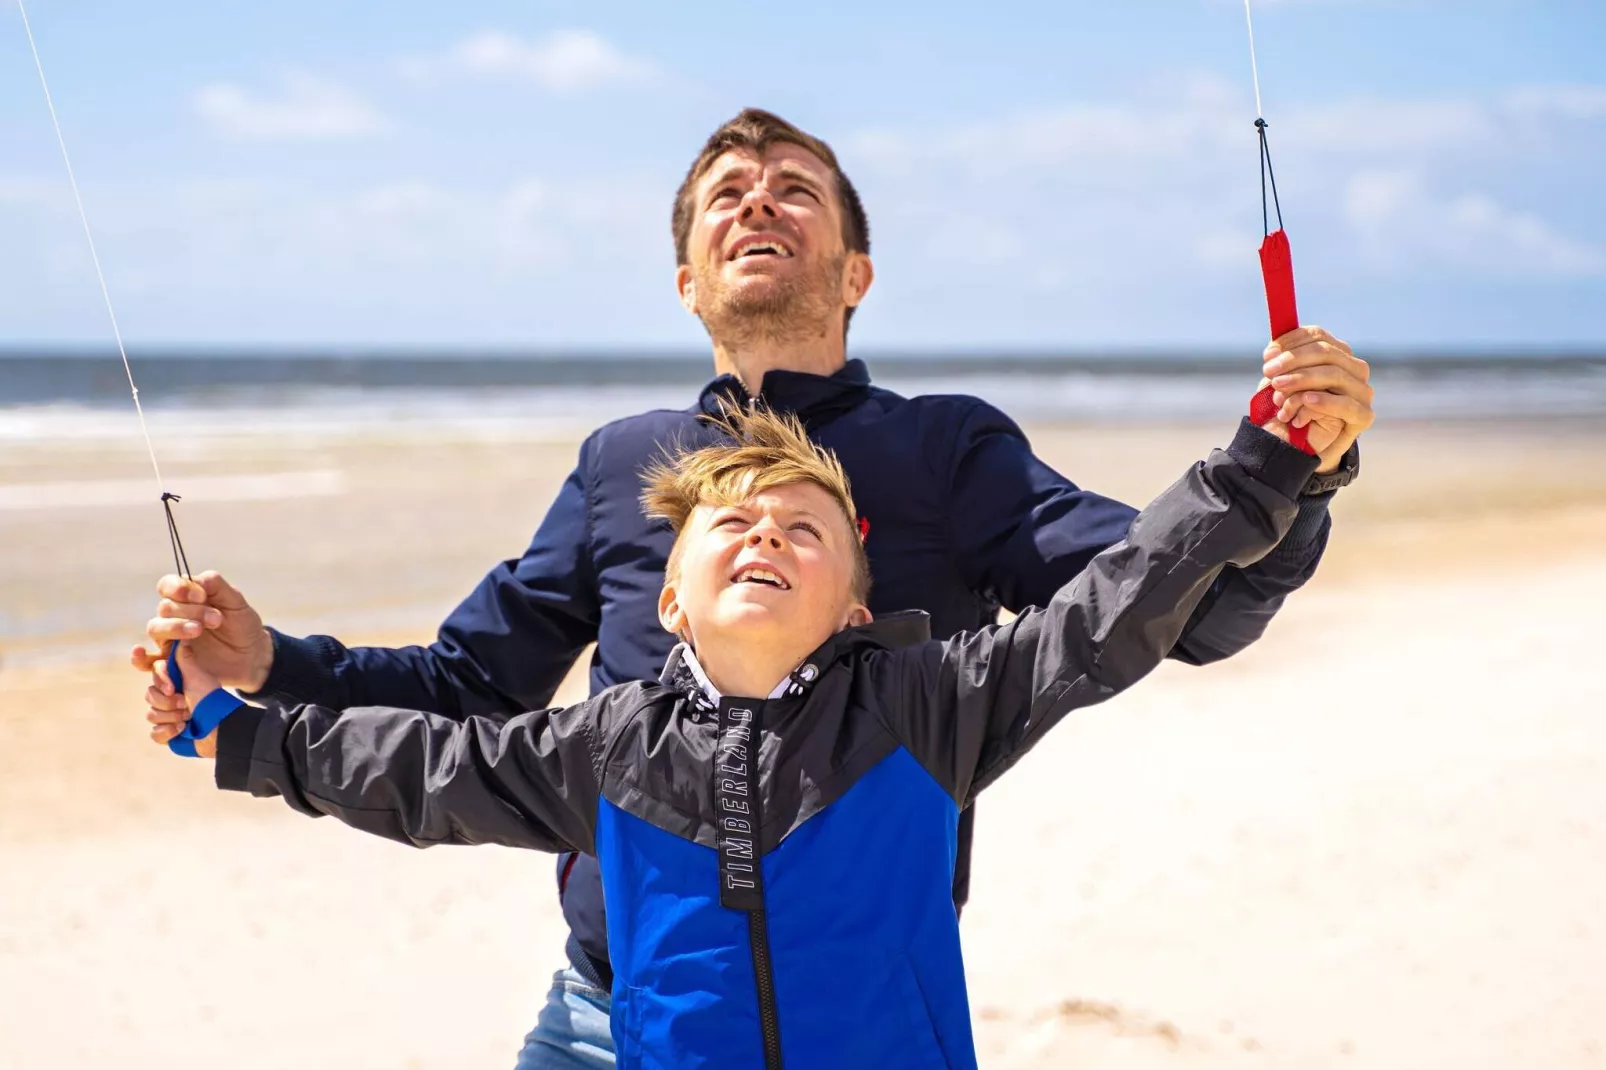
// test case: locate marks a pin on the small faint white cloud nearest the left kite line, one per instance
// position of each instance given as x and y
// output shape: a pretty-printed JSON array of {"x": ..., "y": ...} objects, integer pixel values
[{"x": 308, "y": 108}]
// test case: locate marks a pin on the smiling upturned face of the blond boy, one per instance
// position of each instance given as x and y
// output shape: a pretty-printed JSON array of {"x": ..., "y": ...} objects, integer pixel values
[{"x": 773, "y": 574}]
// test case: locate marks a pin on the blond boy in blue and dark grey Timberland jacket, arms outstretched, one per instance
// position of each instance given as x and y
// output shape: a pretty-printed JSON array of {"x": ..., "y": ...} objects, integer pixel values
[{"x": 778, "y": 867}]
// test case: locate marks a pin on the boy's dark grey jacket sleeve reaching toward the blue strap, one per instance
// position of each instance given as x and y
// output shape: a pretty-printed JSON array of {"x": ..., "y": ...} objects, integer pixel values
[{"x": 423, "y": 778}]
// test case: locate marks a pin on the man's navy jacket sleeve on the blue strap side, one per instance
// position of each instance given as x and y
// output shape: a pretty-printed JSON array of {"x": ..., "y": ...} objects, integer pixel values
[{"x": 505, "y": 650}]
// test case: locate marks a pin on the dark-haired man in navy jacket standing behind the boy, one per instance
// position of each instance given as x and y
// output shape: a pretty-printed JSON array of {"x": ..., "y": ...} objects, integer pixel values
[{"x": 773, "y": 256}]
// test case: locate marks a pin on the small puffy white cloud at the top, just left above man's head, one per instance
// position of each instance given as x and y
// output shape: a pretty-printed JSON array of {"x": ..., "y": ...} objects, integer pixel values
[{"x": 565, "y": 62}]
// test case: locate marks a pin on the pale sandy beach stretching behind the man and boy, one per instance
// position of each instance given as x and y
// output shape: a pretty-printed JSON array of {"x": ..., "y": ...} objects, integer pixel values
[{"x": 1377, "y": 839}]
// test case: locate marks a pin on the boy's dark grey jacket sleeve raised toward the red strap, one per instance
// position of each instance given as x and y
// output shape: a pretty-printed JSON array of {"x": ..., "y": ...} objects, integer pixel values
[{"x": 974, "y": 706}]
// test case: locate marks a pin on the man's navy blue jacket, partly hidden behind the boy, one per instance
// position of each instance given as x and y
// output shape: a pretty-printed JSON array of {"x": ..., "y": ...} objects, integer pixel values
[{"x": 964, "y": 520}]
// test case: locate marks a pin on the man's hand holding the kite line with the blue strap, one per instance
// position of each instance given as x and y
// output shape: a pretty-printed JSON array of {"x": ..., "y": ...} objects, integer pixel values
[{"x": 216, "y": 624}]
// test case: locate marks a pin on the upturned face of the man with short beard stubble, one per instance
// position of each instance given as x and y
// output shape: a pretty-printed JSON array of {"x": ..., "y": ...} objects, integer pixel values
[{"x": 765, "y": 248}]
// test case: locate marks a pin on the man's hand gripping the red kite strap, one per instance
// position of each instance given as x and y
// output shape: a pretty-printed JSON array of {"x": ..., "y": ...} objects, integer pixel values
[{"x": 1321, "y": 385}]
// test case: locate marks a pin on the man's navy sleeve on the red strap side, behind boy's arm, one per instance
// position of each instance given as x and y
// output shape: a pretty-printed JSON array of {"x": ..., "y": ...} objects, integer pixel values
[{"x": 1022, "y": 531}]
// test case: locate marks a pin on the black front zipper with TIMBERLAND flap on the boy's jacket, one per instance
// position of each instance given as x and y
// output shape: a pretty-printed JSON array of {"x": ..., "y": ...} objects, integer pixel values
[{"x": 741, "y": 870}]
